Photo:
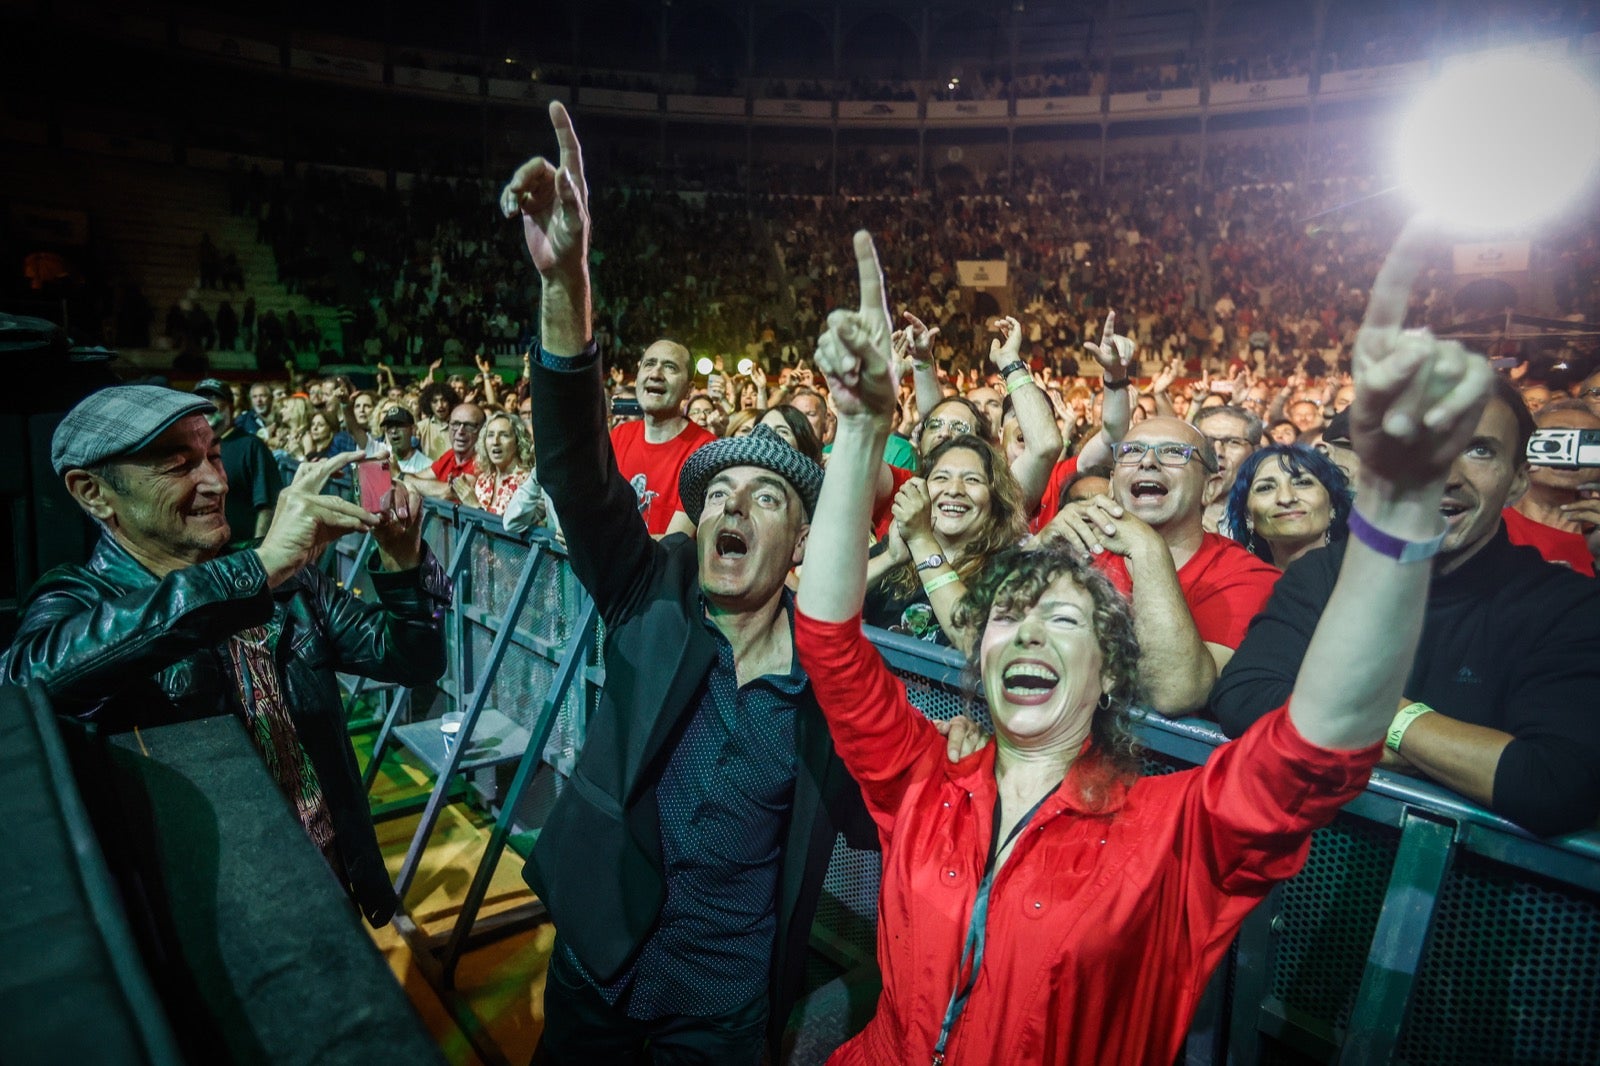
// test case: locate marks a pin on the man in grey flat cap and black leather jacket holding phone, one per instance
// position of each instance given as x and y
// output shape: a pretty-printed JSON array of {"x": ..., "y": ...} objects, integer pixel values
[{"x": 162, "y": 625}]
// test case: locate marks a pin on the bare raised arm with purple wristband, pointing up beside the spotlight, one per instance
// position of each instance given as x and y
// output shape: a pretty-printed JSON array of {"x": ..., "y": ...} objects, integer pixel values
[{"x": 1417, "y": 404}]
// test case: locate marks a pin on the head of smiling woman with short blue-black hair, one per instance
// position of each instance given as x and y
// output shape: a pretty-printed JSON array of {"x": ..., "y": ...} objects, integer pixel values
[{"x": 1286, "y": 502}]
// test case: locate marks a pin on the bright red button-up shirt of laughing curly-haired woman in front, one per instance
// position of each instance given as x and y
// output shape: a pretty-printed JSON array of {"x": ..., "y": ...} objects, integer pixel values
[{"x": 1106, "y": 921}]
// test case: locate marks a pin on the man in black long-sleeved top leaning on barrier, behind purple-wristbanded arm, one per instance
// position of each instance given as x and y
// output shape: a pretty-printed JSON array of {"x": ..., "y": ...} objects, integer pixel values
[{"x": 1502, "y": 699}]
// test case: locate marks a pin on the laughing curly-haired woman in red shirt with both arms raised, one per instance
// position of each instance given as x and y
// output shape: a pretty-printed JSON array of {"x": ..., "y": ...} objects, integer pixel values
[{"x": 1042, "y": 904}]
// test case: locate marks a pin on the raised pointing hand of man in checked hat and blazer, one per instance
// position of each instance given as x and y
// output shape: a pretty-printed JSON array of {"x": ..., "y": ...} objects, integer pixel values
[{"x": 554, "y": 204}]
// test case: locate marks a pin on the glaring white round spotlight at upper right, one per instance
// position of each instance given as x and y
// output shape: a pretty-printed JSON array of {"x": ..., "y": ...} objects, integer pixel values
[{"x": 1500, "y": 143}]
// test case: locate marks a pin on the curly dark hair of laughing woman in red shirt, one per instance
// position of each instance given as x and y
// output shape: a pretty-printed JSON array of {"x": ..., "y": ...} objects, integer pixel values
[{"x": 1017, "y": 579}]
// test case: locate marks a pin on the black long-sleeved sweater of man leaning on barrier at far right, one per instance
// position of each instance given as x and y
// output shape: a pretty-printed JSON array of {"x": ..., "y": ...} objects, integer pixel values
[{"x": 1510, "y": 643}]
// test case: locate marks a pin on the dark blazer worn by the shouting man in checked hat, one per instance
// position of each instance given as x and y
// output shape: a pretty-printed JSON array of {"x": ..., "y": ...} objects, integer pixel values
[{"x": 598, "y": 865}]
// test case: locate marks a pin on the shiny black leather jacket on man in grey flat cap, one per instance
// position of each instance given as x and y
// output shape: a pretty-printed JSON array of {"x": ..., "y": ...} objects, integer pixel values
[{"x": 119, "y": 649}]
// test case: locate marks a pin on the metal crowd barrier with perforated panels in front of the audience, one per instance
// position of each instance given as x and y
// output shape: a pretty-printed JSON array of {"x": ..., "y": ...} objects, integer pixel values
[{"x": 1423, "y": 929}]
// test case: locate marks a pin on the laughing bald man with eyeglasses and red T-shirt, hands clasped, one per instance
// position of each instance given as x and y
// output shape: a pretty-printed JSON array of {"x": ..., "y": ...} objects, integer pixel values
[{"x": 1193, "y": 591}]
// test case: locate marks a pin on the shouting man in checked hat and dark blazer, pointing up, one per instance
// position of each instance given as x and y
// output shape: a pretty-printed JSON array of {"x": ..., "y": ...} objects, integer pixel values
[{"x": 684, "y": 862}]
